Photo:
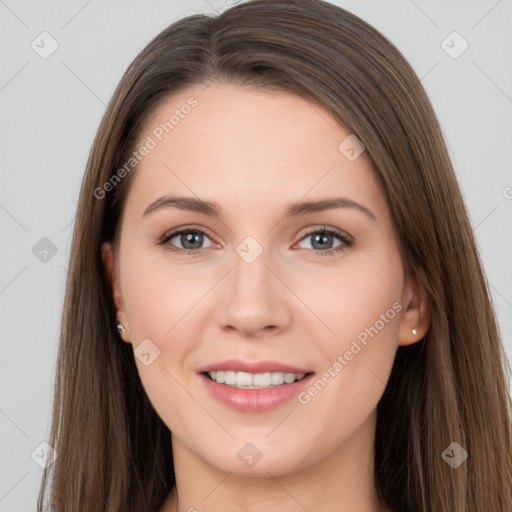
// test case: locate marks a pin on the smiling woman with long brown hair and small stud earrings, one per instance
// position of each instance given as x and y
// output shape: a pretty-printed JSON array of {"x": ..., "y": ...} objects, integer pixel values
[{"x": 274, "y": 300}]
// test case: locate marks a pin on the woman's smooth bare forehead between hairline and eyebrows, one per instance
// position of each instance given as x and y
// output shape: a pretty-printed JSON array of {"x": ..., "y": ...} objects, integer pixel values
[{"x": 245, "y": 146}]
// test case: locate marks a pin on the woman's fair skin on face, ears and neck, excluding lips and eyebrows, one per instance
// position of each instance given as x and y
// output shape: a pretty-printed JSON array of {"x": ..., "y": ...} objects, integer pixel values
[{"x": 255, "y": 152}]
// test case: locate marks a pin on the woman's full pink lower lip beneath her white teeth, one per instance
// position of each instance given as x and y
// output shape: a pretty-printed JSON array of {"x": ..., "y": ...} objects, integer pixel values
[{"x": 255, "y": 400}]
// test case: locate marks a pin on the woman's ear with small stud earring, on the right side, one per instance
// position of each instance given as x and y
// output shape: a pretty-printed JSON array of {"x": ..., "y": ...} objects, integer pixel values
[{"x": 417, "y": 311}]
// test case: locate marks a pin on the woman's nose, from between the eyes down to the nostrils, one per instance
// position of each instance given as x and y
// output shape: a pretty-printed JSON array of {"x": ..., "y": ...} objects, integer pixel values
[{"x": 255, "y": 300}]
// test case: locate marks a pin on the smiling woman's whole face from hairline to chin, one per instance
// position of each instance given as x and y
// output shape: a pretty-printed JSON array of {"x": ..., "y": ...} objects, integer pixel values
[{"x": 280, "y": 291}]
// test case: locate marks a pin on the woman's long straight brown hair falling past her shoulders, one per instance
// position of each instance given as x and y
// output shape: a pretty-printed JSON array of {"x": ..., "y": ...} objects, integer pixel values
[{"x": 114, "y": 452}]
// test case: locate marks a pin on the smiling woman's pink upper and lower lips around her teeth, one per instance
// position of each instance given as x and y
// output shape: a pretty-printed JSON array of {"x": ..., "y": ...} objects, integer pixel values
[{"x": 254, "y": 400}]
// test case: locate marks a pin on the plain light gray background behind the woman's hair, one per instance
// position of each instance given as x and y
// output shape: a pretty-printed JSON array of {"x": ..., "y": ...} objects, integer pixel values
[{"x": 51, "y": 108}]
